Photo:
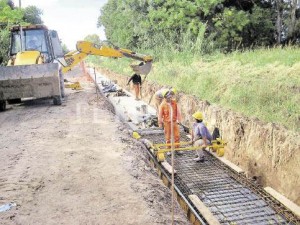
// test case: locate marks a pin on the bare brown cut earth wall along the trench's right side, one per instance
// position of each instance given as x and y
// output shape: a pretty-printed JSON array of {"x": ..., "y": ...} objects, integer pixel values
[{"x": 266, "y": 151}]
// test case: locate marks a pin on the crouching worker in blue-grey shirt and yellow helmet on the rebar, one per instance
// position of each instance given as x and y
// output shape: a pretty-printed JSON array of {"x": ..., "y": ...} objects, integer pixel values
[{"x": 200, "y": 136}]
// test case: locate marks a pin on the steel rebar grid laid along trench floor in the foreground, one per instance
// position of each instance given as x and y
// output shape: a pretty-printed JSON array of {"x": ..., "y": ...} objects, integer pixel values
[{"x": 230, "y": 196}]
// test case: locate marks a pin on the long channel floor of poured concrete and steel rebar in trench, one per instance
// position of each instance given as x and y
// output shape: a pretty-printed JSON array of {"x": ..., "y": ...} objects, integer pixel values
[{"x": 213, "y": 192}]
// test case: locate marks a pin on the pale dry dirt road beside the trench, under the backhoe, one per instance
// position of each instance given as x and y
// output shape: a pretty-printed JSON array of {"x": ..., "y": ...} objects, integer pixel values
[{"x": 76, "y": 164}]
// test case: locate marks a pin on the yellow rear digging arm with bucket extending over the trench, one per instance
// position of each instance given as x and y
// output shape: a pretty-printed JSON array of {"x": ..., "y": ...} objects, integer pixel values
[{"x": 85, "y": 48}]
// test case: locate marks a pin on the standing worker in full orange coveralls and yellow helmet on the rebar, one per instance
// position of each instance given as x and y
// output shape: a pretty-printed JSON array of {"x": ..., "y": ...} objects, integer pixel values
[{"x": 164, "y": 117}]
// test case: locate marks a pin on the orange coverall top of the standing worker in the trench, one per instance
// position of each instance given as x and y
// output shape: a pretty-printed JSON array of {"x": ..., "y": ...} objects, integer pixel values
[{"x": 164, "y": 112}]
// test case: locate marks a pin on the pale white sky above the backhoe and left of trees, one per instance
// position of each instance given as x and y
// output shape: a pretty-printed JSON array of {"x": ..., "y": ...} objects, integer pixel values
[{"x": 72, "y": 19}]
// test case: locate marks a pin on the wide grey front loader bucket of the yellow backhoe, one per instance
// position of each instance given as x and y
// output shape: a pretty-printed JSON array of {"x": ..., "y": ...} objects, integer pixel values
[{"x": 37, "y": 81}]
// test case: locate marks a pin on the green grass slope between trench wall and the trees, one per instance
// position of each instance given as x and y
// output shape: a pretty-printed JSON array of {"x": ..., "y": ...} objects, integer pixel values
[{"x": 263, "y": 83}]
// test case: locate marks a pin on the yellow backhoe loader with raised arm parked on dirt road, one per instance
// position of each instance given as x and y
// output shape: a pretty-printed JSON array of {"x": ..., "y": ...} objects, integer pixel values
[{"x": 37, "y": 64}]
